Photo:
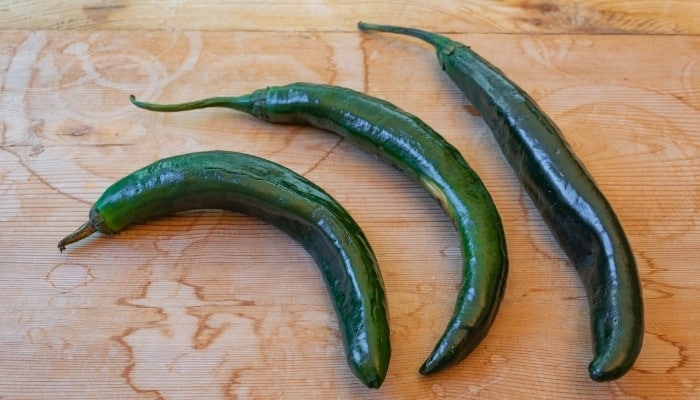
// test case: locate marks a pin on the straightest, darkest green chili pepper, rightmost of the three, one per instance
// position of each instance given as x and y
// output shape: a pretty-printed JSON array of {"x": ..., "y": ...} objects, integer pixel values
[{"x": 571, "y": 204}]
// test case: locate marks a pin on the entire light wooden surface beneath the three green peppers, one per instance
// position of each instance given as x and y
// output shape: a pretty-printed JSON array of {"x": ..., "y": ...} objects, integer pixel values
[{"x": 217, "y": 305}]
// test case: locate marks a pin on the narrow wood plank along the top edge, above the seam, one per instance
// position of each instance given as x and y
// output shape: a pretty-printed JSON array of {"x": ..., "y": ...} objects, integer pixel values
[{"x": 478, "y": 16}]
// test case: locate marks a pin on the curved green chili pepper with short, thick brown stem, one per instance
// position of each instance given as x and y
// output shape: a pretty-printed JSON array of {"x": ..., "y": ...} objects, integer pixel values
[{"x": 266, "y": 190}]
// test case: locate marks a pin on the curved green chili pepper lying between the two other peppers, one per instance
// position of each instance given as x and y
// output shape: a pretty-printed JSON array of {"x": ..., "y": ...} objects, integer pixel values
[{"x": 412, "y": 146}]
